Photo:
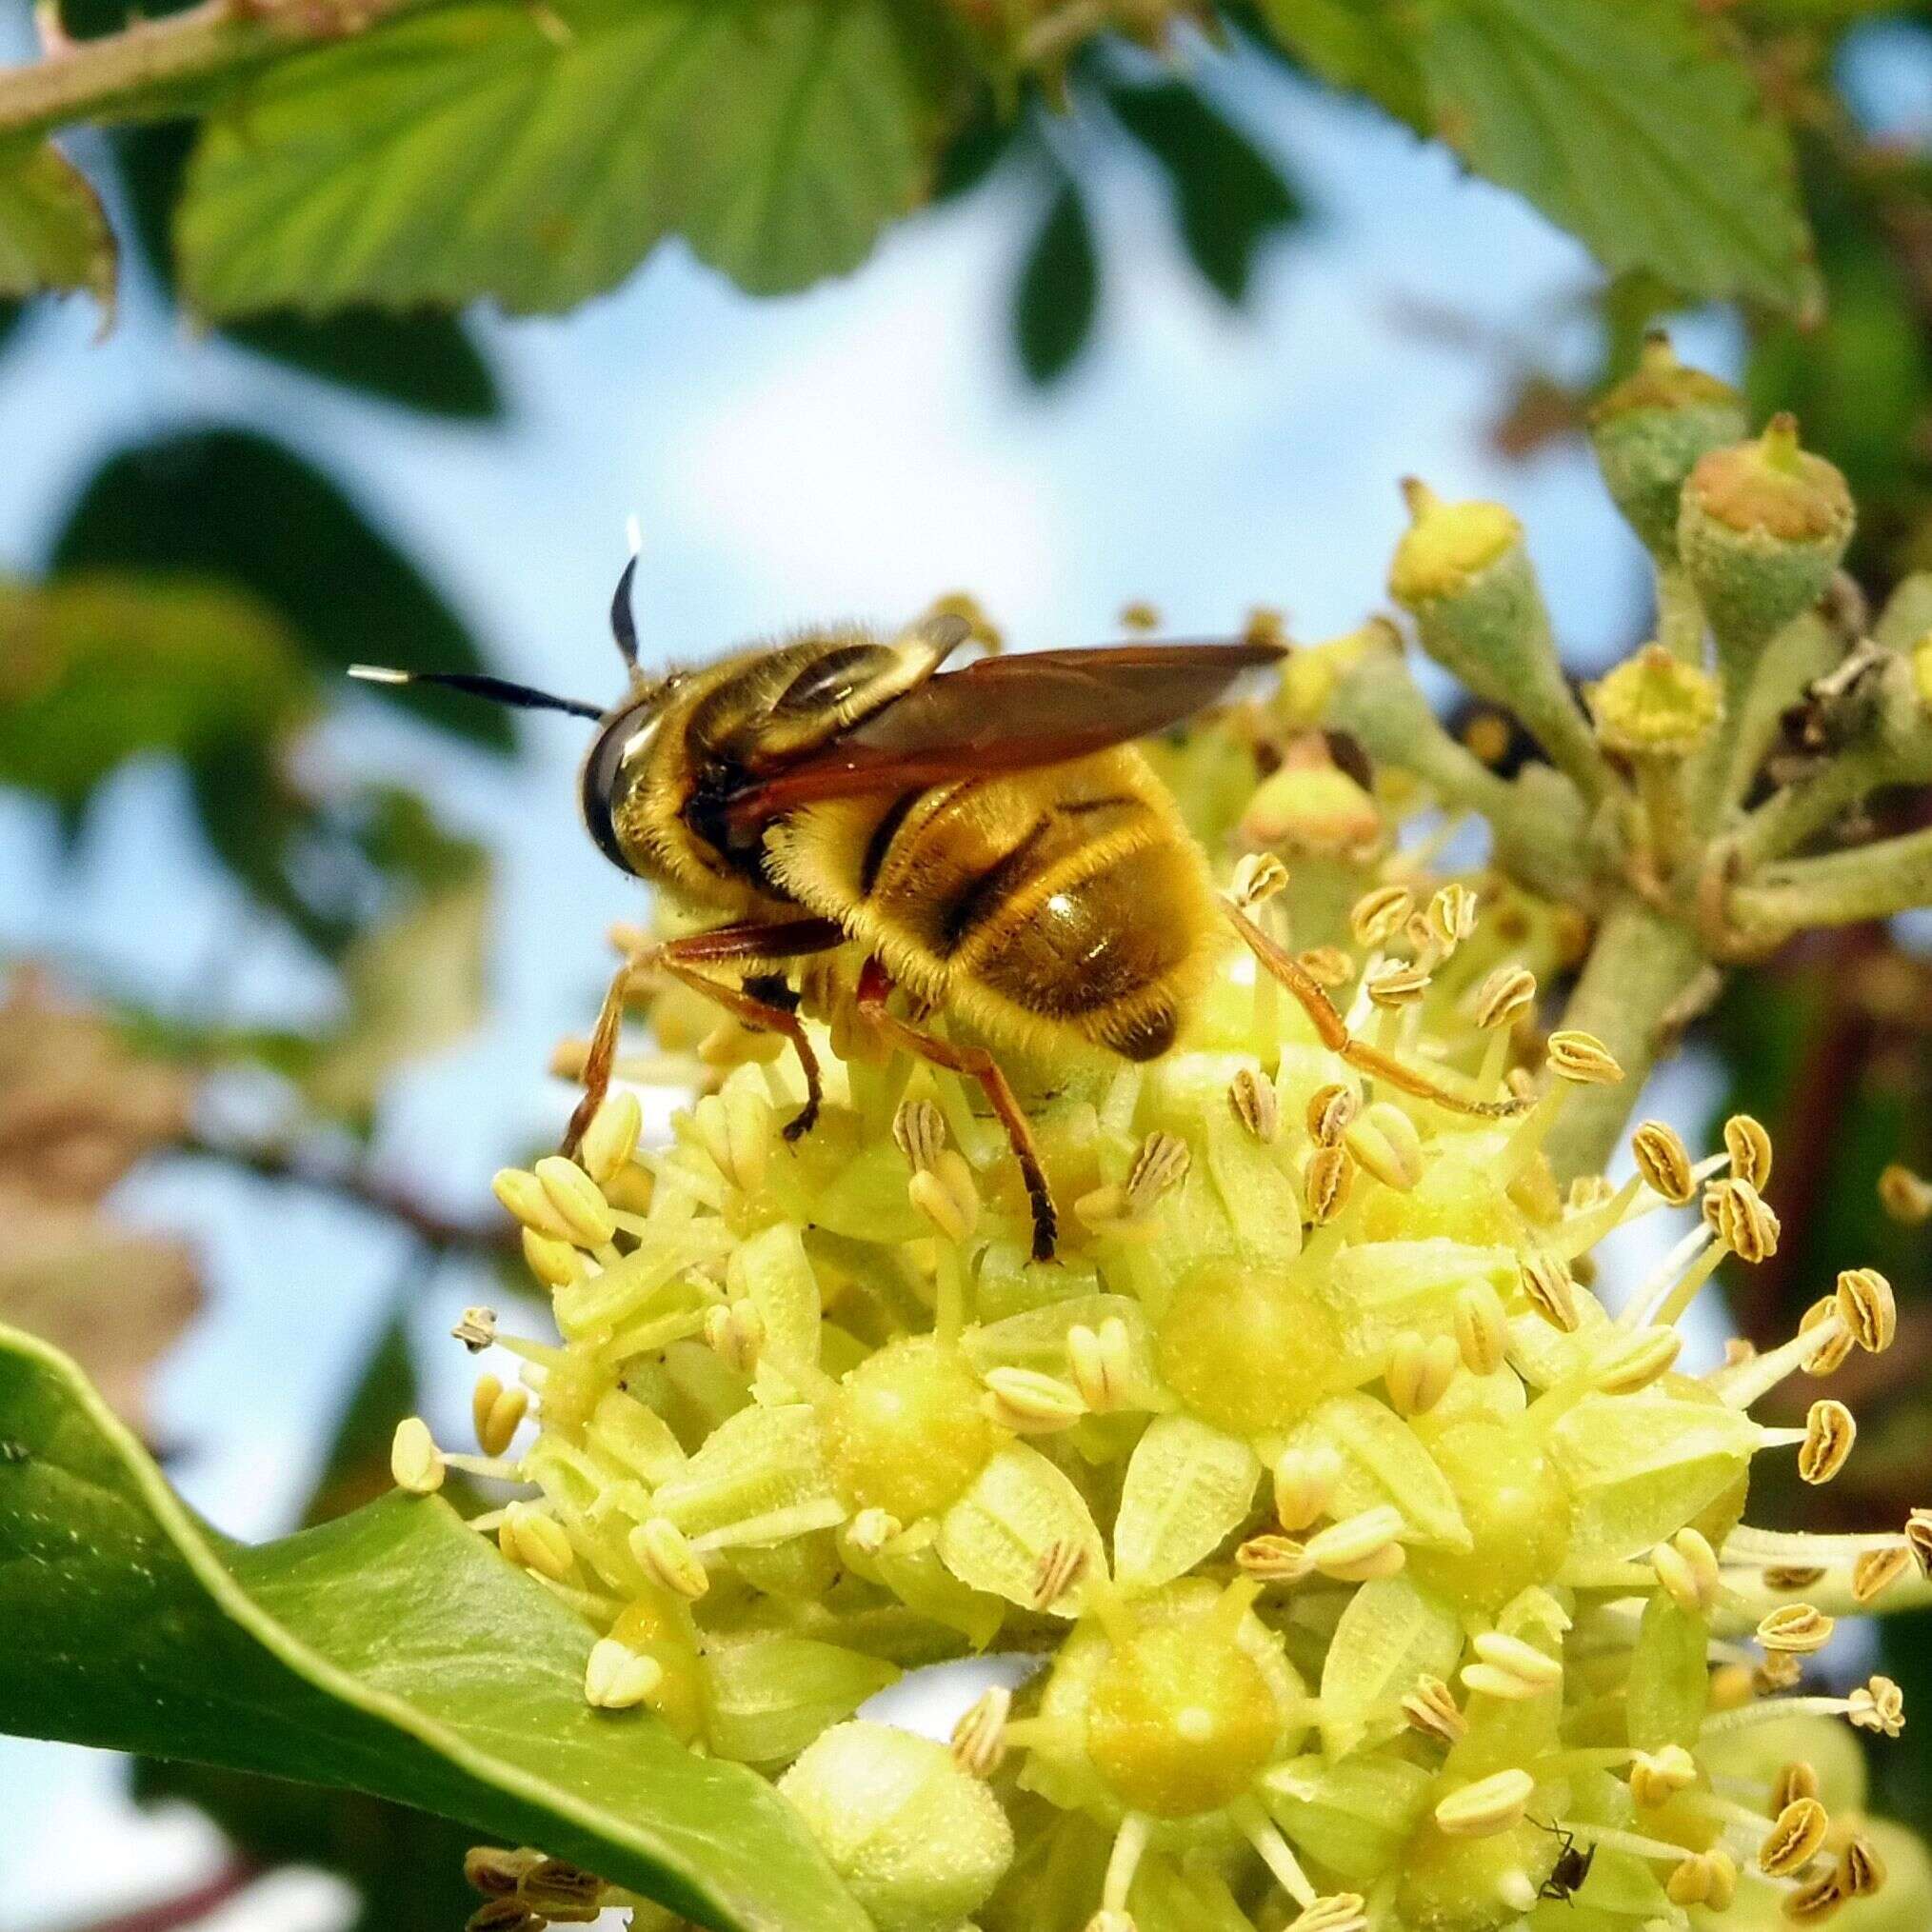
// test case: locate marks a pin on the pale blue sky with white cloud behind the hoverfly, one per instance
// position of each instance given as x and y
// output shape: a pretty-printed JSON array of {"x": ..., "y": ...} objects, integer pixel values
[{"x": 849, "y": 453}]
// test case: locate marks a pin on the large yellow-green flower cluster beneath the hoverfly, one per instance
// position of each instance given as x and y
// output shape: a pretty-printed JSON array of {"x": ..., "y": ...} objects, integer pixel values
[{"x": 1373, "y": 1574}]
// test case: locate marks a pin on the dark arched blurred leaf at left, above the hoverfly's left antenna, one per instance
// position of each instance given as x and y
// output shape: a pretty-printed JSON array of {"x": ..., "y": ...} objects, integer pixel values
[{"x": 237, "y": 505}]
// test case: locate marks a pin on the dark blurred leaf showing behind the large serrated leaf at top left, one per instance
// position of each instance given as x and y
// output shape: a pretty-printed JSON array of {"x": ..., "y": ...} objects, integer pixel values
[{"x": 424, "y": 360}]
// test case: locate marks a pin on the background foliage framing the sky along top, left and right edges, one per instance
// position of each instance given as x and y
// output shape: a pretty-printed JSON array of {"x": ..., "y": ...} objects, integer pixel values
[{"x": 331, "y": 188}]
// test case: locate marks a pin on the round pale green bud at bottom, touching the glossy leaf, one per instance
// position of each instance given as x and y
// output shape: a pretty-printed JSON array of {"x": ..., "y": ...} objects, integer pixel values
[{"x": 919, "y": 1842}]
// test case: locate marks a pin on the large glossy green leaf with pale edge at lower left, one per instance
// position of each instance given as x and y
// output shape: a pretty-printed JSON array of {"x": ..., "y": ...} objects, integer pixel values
[{"x": 391, "y": 1653}]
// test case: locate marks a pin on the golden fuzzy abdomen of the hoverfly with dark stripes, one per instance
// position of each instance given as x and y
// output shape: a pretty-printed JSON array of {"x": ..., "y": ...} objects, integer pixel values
[{"x": 1056, "y": 899}]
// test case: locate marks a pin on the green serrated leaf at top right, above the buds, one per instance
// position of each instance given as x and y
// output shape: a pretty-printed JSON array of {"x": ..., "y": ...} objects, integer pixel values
[{"x": 1630, "y": 128}]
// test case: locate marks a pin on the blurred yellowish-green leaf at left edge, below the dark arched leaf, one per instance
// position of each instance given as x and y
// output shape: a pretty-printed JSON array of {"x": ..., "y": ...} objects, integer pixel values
[{"x": 101, "y": 668}]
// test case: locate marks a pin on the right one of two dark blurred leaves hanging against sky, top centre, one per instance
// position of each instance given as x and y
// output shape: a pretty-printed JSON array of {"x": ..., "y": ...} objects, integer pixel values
[{"x": 1228, "y": 194}]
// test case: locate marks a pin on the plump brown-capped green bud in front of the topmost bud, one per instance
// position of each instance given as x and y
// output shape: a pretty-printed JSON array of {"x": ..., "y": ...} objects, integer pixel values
[{"x": 1761, "y": 530}]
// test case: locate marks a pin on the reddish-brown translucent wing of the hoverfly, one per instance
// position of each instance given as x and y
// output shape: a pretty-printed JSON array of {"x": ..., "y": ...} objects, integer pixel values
[{"x": 1009, "y": 714}]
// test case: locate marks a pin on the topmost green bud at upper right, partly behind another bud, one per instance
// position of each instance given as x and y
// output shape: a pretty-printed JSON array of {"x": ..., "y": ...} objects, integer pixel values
[{"x": 1653, "y": 430}]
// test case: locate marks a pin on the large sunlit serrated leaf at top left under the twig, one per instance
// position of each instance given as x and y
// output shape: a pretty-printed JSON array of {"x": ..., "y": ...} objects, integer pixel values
[{"x": 536, "y": 157}]
